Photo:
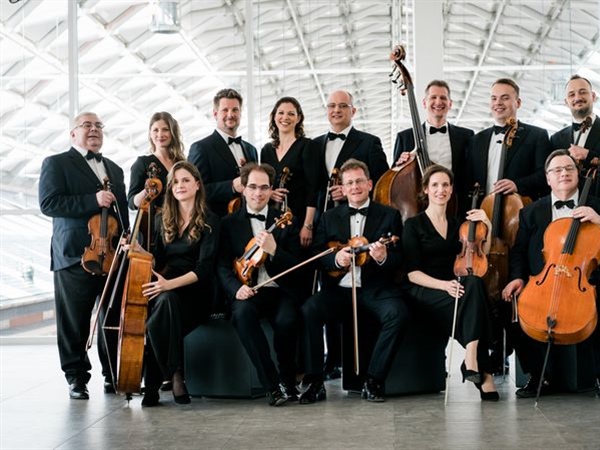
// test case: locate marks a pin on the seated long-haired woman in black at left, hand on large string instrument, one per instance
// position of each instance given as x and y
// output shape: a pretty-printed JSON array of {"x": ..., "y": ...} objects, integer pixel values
[{"x": 180, "y": 296}]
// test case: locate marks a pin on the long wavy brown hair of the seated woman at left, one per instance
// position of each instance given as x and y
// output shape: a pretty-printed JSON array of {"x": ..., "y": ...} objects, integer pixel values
[{"x": 170, "y": 211}]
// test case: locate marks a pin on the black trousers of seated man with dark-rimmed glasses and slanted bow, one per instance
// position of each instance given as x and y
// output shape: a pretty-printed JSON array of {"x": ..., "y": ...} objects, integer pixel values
[{"x": 281, "y": 312}]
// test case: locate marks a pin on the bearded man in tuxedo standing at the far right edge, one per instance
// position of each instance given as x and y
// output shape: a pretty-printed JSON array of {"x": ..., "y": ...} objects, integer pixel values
[{"x": 580, "y": 98}]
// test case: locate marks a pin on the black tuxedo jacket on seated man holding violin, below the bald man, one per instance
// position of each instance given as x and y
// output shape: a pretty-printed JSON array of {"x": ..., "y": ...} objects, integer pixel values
[{"x": 381, "y": 220}]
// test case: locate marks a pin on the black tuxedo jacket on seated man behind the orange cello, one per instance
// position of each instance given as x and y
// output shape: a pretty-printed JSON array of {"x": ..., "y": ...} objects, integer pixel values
[{"x": 526, "y": 258}]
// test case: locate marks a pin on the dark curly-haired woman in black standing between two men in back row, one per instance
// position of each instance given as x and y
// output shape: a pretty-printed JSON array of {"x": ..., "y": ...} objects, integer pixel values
[{"x": 290, "y": 148}]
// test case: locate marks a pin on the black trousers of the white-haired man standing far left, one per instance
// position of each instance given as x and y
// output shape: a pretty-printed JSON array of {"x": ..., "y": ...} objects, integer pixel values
[{"x": 75, "y": 294}]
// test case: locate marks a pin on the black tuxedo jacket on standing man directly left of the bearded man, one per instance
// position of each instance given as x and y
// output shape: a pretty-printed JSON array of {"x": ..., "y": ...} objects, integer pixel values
[{"x": 524, "y": 160}]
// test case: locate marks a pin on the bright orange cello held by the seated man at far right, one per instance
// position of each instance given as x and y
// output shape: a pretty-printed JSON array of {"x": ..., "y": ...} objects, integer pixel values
[{"x": 559, "y": 304}]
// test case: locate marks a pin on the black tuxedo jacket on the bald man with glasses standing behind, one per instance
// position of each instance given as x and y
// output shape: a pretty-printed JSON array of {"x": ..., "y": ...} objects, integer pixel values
[{"x": 358, "y": 145}]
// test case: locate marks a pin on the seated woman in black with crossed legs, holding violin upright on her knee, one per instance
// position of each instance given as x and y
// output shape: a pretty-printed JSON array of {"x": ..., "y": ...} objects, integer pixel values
[{"x": 431, "y": 243}]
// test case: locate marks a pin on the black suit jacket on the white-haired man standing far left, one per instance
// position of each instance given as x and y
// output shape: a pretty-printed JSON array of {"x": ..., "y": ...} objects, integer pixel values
[{"x": 67, "y": 193}]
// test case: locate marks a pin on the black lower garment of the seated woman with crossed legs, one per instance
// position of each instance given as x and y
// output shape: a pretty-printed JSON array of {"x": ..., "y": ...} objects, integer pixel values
[{"x": 473, "y": 319}]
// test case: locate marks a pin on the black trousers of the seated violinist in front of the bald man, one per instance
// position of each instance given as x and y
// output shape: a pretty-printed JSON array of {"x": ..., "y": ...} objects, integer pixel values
[{"x": 335, "y": 304}]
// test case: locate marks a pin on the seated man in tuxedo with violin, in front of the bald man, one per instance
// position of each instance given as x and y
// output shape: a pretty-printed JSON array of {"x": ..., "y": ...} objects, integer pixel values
[{"x": 378, "y": 296}]
